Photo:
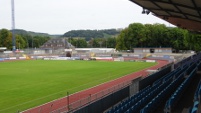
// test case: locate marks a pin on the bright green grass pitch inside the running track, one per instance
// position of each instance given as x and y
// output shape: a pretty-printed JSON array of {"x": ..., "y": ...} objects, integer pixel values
[{"x": 25, "y": 84}]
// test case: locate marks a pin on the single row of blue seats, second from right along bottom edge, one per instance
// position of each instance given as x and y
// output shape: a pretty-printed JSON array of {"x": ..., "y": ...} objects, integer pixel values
[{"x": 172, "y": 101}]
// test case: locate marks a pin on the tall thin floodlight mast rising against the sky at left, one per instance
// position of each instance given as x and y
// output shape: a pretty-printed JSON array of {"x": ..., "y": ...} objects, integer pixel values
[{"x": 13, "y": 24}]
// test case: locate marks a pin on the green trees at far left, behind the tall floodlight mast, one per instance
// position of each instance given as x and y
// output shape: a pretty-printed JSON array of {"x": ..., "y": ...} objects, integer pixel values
[{"x": 21, "y": 41}]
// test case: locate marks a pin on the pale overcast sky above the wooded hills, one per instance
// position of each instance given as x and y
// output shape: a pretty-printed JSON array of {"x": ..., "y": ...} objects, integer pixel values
[{"x": 61, "y": 16}]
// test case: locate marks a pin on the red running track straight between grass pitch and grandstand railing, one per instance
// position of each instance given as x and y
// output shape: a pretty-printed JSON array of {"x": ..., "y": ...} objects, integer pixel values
[{"x": 56, "y": 104}]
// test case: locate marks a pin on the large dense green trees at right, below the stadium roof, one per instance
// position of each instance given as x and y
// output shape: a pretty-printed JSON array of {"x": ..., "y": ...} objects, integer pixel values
[{"x": 157, "y": 35}]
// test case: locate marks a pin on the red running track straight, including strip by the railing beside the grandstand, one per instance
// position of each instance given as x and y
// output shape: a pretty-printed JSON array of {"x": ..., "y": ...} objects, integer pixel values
[{"x": 85, "y": 94}]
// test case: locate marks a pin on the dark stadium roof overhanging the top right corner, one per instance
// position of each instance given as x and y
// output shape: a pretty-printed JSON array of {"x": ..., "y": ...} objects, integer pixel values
[{"x": 185, "y": 14}]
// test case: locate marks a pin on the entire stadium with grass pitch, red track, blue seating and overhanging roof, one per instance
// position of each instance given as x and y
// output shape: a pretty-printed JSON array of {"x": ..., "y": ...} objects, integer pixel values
[{"x": 103, "y": 80}]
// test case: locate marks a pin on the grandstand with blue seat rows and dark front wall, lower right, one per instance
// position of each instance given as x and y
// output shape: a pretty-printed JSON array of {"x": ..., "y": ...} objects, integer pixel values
[{"x": 160, "y": 92}]
